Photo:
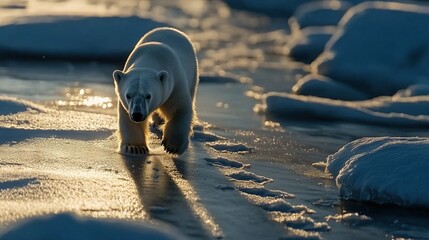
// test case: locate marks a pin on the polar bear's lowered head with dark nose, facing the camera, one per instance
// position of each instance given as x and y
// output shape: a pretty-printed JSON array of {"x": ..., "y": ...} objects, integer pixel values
[{"x": 141, "y": 91}]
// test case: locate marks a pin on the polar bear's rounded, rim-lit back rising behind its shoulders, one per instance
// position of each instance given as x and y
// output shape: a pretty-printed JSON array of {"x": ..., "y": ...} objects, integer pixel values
[{"x": 181, "y": 45}]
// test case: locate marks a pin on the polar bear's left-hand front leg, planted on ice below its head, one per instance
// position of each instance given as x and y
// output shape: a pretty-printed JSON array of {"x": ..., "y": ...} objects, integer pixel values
[{"x": 132, "y": 136}]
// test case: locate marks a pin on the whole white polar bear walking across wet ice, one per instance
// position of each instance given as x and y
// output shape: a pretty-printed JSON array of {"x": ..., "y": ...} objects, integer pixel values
[{"x": 160, "y": 75}]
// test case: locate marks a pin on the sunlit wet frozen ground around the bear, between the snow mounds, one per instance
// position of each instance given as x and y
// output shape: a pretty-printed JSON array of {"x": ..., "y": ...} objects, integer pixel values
[{"x": 200, "y": 200}]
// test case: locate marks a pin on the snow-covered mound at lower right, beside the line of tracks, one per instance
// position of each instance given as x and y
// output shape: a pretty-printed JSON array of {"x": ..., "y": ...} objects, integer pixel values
[{"x": 387, "y": 170}]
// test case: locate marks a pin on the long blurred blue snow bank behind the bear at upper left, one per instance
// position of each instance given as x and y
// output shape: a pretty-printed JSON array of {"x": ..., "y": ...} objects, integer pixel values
[{"x": 76, "y": 38}]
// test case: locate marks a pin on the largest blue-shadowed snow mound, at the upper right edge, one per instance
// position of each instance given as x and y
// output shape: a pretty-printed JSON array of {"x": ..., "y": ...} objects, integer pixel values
[{"x": 379, "y": 48}]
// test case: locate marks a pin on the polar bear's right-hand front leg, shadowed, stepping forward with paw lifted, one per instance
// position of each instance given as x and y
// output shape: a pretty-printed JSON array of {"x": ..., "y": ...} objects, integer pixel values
[{"x": 177, "y": 131}]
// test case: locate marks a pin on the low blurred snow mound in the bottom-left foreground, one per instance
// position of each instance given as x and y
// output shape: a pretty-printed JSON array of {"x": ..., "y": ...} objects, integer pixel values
[{"x": 67, "y": 227}]
